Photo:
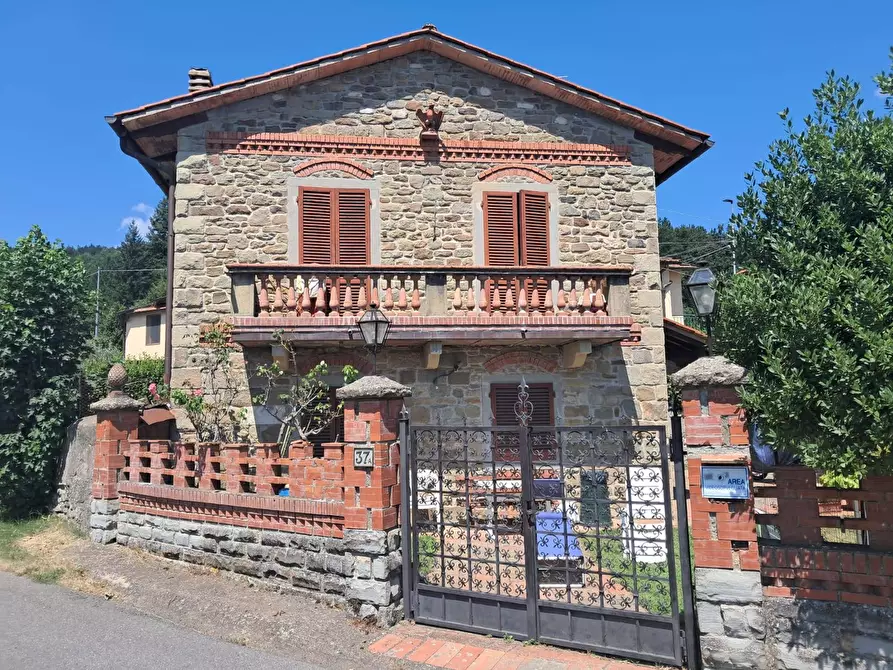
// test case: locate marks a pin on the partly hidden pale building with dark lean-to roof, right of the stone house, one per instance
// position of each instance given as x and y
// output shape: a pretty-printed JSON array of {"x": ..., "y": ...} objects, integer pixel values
[{"x": 684, "y": 343}]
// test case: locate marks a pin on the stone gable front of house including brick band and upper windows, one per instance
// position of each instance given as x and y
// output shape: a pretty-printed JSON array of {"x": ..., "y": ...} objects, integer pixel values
[{"x": 241, "y": 175}]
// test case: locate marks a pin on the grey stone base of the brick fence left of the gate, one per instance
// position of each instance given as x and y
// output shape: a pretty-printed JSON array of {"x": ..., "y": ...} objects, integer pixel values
[{"x": 360, "y": 571}]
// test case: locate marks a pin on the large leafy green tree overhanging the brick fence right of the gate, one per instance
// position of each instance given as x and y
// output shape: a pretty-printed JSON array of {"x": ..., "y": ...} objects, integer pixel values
[{"x": 812, "y": 320}]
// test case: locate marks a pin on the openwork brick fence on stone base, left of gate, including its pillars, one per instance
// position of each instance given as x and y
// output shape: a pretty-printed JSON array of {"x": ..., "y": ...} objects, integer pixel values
[{"x": 316, "y": 524}]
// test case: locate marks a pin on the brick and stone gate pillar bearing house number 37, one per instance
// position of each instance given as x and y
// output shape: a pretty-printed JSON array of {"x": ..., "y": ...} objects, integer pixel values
[{"x": 372, "y": 495}]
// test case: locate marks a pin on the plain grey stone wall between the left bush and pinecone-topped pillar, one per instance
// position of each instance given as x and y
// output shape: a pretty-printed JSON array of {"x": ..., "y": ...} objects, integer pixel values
[{"x": 73, "y": 493}]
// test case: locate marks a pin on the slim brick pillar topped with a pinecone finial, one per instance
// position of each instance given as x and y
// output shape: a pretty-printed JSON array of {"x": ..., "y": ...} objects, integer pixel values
[{"x": 117, "y": 420}]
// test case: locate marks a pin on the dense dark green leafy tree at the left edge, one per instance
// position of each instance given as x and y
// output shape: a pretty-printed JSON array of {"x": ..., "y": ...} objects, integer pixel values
[{"x": 44, "y": 322}]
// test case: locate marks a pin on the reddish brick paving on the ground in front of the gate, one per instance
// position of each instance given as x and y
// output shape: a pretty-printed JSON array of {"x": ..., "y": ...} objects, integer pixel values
[{"x": 456, "y": 650}]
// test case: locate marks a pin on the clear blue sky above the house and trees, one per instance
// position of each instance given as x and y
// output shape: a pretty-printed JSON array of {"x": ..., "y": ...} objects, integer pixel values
[{"x": 723, "y": 67}]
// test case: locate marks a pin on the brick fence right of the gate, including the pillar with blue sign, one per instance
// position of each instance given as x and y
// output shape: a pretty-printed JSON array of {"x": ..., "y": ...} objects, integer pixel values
[{"x": 799, "y": 576}]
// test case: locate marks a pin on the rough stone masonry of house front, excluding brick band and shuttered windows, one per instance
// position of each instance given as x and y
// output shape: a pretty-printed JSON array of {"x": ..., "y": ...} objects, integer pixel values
[{"x": 234, "y": 207}]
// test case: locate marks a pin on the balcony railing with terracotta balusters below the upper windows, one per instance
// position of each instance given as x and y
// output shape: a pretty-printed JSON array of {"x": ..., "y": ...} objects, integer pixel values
[{"x": 309, "y": 291}]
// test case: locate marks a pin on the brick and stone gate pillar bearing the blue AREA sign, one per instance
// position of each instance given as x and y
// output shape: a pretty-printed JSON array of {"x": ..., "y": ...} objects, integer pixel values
[{"x": 728, "y": 589}]
